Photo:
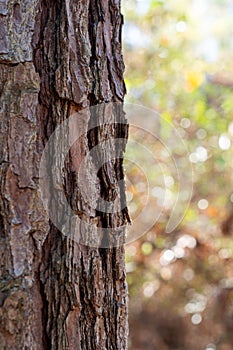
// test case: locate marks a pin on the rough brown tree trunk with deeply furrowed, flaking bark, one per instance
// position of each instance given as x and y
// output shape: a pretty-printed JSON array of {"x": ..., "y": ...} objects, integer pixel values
[{"x": 56, "y": 58}]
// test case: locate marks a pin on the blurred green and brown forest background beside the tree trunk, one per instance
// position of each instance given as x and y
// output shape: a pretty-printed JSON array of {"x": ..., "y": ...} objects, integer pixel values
[{"x": 179, "y": 62}]
